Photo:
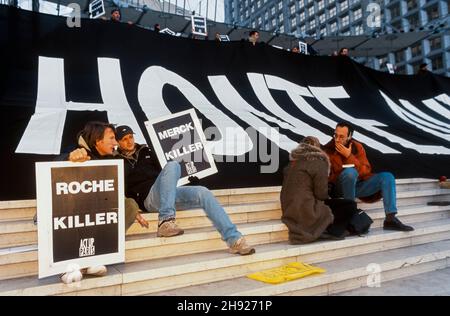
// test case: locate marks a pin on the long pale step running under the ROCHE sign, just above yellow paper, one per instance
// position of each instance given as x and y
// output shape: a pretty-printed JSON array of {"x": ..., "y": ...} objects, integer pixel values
[{"x": 170, "y": 273}]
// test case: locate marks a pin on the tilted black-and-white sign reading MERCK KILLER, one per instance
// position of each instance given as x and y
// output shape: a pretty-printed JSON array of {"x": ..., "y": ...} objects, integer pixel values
[{"x": 179, "y": 137}]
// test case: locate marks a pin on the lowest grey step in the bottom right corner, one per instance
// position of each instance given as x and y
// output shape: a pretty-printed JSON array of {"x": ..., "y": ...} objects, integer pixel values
[{"x": 425, "y": 284}]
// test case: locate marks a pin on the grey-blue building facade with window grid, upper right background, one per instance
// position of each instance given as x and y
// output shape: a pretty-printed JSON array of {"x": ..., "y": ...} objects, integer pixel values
[{"x": 317, "y": 18}]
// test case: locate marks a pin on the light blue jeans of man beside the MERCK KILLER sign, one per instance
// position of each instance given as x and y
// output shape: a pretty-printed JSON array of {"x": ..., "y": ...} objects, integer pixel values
[{"x": 166, "y": 198}]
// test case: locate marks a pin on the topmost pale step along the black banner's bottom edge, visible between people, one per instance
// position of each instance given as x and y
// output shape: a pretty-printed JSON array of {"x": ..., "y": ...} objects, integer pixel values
[{"x": 25, "y": 209}]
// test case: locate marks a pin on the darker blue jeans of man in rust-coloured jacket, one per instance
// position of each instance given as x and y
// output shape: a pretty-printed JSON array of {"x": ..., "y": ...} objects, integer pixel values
[{"x": 348, "y": 186}]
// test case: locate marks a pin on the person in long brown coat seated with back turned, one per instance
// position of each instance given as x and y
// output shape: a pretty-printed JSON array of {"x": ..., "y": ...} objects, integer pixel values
[{"x": 305, "y": 187}]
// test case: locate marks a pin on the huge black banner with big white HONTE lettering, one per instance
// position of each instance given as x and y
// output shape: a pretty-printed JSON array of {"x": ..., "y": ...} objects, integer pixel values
[{"x": 56, "y": 78}]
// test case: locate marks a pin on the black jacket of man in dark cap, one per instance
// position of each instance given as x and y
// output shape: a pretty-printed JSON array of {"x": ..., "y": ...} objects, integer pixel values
[{"x": 141, "y": 170}]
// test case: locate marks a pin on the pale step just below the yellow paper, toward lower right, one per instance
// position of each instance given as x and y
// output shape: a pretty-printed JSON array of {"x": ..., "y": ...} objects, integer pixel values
[{"x": 341, "y": 275}]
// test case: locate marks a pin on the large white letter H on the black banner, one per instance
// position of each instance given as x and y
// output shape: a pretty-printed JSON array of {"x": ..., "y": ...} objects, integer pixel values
[{"x": 44, "y": 132}]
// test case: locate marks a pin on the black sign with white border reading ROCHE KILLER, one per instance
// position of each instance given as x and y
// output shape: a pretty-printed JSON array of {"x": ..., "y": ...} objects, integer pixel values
[{"x": 80, "y": 214}]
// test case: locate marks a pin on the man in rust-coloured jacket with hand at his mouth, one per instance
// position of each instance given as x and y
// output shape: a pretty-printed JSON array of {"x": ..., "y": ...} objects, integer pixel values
[{"x": 357, "y": 180}]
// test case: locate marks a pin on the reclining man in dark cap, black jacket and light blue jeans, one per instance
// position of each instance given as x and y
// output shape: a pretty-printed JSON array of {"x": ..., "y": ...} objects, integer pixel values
[{"x": 156, "y": 190}]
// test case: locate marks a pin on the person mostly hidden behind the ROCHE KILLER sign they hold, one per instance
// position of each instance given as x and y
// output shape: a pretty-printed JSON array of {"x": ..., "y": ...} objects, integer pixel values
[{"x": 97, "y": 141}]
